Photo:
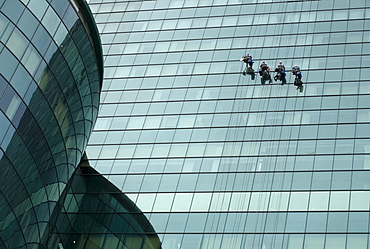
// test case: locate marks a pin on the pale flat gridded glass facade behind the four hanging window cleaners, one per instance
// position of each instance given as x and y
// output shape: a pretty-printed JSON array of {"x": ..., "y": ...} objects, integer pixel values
[{"x": 215, "y": 159}]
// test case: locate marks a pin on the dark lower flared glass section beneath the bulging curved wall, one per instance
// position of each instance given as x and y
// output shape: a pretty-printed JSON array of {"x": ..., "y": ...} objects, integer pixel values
[{"x": 96, "y": 214}]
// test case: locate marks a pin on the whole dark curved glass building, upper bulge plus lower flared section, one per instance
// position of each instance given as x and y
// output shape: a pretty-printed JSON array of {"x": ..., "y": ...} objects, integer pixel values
[{"x": 51, "y": 71}]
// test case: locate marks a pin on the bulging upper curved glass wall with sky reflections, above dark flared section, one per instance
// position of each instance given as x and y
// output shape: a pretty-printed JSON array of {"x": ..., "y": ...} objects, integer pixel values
[{"x": 49, "y": 95}]
